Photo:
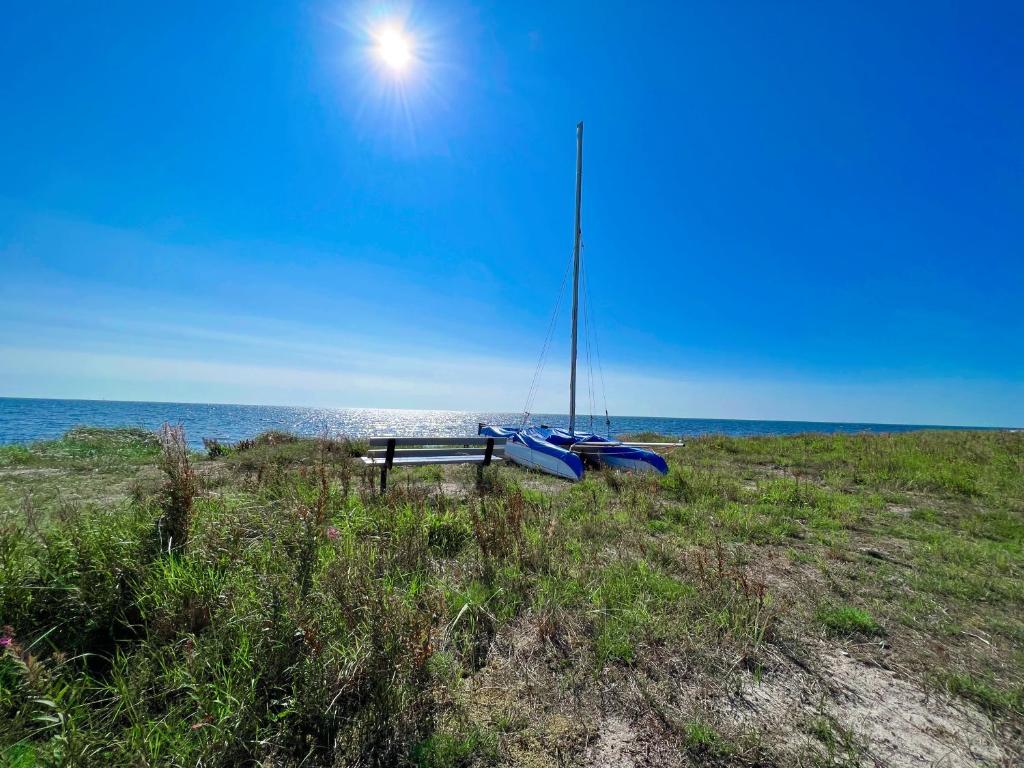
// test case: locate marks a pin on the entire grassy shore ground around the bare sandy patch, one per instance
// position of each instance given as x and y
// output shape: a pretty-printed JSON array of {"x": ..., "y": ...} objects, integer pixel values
[{"x": 262, "y": 605}]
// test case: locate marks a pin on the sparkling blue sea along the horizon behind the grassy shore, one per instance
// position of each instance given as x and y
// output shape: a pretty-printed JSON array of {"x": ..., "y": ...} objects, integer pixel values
[{"x": 29, "y": 420}]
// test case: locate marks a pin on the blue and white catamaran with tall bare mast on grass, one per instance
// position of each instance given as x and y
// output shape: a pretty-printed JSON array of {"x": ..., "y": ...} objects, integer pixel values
[{"x": 566, "y": 452}]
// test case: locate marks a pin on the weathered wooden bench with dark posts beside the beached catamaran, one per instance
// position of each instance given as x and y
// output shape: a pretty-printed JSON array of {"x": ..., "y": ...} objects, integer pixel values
[{"x": 411, "y": 452}]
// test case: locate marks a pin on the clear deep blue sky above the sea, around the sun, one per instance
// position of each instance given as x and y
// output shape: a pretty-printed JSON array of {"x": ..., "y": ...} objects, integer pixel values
[{"x": 791, "y": 210}]
